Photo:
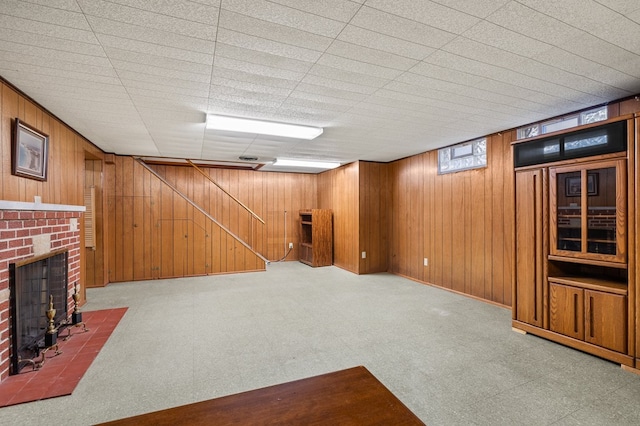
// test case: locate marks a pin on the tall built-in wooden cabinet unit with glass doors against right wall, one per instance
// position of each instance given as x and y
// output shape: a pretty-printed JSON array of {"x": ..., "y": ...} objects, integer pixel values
[{"x": 574, "y": 277}]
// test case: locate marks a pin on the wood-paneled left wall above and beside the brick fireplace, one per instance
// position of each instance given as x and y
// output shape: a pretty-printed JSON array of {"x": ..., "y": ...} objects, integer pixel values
[{"x": 67, "y": 150}]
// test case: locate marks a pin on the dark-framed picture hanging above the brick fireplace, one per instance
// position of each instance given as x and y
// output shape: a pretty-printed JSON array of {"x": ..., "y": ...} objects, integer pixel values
[{"x": 30, "y": 152}]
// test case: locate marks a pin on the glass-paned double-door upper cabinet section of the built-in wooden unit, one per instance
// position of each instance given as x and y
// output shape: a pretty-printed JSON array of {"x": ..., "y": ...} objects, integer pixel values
[{"x": 588, "y": 211}]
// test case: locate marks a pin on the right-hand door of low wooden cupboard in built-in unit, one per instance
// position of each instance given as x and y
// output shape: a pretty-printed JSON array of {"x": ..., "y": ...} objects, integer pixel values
[{"x": 606, "y": 320}]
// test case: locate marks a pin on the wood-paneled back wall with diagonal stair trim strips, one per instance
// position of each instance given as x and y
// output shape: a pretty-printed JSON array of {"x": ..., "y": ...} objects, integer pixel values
[{"x": 156, "y": 233}]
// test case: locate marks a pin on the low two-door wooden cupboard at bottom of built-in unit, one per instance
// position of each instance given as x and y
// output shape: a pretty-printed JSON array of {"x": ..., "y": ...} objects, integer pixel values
[{"x": 595, "y": 316}]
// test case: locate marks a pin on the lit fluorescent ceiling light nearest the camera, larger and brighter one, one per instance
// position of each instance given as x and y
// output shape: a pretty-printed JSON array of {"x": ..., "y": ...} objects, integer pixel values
[{"x": 246, "y": 125}]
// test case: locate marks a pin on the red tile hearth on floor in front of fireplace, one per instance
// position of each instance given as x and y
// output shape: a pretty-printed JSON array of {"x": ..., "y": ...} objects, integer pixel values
[{"x": 60, "y": 374}]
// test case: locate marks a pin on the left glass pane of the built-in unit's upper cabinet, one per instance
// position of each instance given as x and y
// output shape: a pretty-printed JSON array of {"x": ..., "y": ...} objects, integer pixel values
[{"x": 569, "y": 211}]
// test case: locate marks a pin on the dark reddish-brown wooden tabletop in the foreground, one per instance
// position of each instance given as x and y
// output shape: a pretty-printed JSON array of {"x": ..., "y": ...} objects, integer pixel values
[{"x": 347, "y": 397}]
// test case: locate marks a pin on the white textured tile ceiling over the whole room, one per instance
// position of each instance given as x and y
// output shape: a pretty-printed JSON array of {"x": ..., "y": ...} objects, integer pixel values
[{"x": 385, "y": 78}]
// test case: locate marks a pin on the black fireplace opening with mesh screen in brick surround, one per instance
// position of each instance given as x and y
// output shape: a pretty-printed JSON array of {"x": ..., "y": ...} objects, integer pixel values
[{"x": 32, "y": 283}]
